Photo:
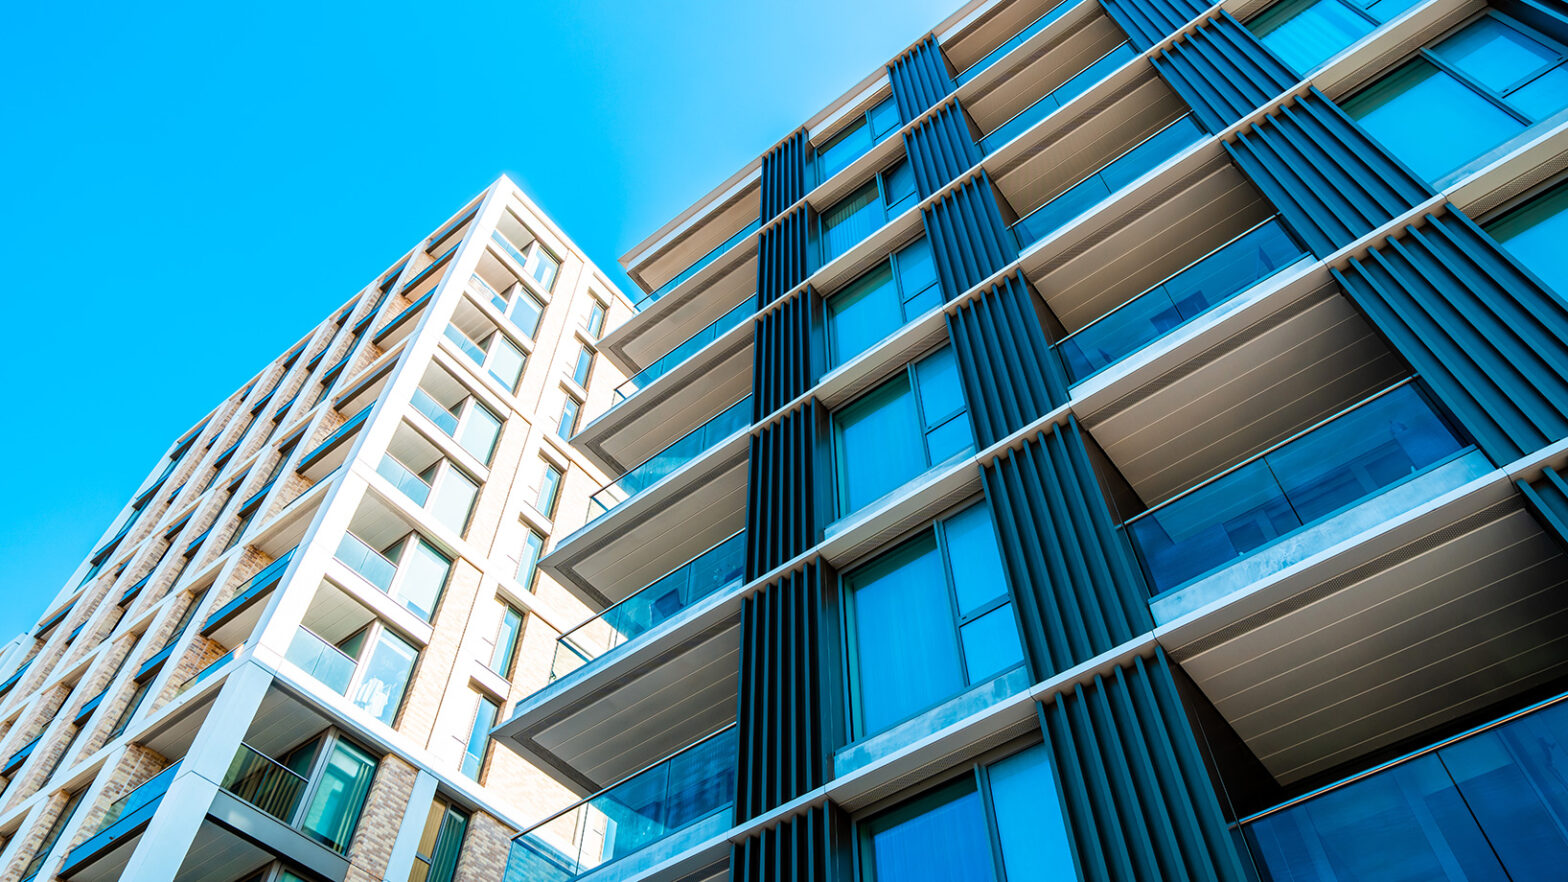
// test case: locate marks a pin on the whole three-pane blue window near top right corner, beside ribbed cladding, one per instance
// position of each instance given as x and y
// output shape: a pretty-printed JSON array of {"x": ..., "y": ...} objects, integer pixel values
[{"x": 1462, "y": 98}]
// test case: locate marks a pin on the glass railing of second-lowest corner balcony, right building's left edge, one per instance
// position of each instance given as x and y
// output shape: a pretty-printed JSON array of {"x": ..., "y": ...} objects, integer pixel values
[{"x": 717, "y": 569}]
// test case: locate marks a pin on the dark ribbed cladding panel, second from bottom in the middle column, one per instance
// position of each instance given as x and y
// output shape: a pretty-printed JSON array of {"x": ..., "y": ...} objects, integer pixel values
[{"x": 1069, "y": 564}]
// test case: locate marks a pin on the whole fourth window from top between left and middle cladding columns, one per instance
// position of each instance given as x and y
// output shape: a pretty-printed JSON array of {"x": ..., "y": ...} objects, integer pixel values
[{"x": 899, "y": 431}]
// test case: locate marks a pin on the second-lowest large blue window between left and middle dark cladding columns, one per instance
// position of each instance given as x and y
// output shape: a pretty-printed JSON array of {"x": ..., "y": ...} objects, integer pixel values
[{"x": 931, "y": 619}]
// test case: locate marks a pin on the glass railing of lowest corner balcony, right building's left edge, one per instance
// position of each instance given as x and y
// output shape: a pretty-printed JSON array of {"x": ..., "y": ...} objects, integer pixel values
[{"x": 691, "y": 793}]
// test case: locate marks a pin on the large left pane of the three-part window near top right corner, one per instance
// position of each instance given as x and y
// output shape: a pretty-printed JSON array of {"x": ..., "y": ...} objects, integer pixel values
[{"x": 1429, "y": 120}]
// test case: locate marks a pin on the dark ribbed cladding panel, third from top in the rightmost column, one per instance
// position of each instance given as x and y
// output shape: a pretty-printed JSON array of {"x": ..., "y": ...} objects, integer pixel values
[{"x": 1329, "y": 180}]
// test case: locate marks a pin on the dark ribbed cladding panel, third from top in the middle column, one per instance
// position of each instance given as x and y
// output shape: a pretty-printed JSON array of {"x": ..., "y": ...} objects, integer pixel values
[{"x": 968, "y": 236}]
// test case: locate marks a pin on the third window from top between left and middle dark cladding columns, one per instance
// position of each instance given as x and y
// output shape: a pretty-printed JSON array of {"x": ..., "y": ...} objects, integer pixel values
[{"x": 874, "y": 307}]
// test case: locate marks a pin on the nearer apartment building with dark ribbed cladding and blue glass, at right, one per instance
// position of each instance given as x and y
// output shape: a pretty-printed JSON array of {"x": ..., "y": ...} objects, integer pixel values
[{"x": 1120, "y": 440}]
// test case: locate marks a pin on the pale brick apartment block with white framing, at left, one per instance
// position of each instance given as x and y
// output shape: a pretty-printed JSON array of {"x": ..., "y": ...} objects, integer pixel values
[{"x": 285, "y": 658}]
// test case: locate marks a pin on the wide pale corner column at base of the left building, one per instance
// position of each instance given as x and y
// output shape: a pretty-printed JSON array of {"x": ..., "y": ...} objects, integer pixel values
[{"x": 169, "y": 839}]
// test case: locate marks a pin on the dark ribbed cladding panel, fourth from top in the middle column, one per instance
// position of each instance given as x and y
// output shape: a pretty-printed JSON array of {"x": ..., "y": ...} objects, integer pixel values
[{"x": 1012, "y": 376}]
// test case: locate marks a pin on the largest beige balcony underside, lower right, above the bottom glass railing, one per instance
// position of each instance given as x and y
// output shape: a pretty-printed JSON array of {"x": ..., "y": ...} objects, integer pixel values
[{"x": 1434, "y": 618}]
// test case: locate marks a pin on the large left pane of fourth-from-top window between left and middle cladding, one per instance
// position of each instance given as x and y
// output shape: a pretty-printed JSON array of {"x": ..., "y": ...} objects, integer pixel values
[{"x": 879, "y": 446}]
